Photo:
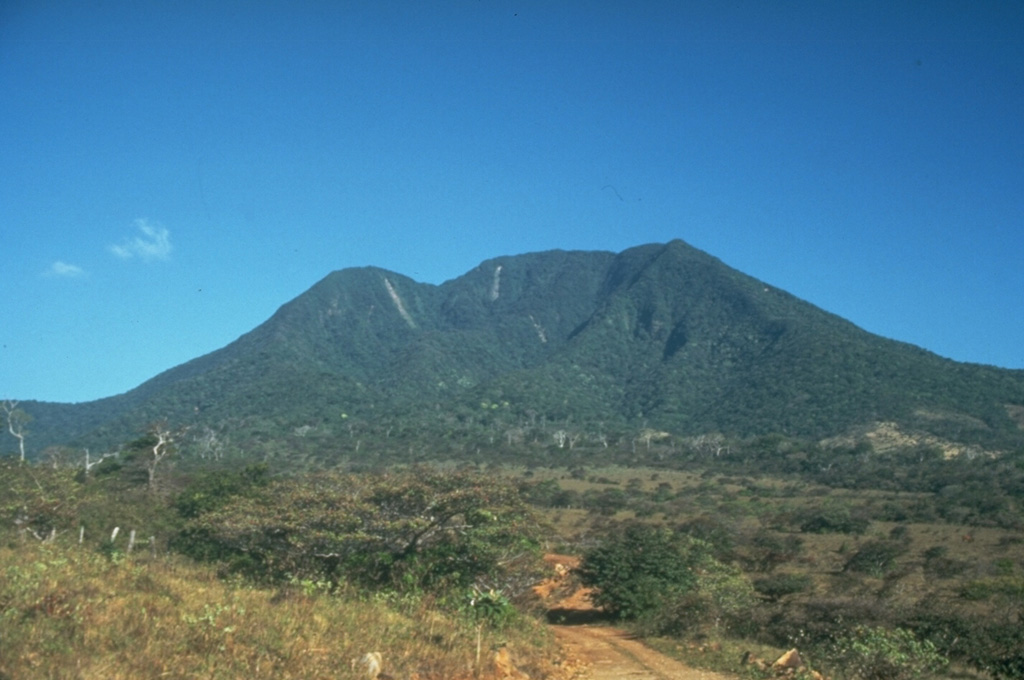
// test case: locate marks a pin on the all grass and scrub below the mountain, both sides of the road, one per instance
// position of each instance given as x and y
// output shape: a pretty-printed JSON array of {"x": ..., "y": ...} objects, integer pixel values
[{"x": 874, "y": 564}]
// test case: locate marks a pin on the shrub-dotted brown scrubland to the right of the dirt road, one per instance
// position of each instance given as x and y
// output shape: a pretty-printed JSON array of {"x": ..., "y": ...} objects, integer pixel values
[{"x": 867, "y": 584}]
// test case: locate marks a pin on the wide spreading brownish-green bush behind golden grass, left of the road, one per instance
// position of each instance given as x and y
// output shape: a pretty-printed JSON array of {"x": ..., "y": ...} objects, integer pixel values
[{"x": 425, "y": 529}]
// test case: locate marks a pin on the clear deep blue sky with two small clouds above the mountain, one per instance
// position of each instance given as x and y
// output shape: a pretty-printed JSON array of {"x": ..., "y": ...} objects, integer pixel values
[{"x": 175, "y": 173}]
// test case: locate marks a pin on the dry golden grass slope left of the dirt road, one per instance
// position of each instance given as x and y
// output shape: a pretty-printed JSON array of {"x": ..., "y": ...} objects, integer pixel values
[{"x": 70, "y": 613}]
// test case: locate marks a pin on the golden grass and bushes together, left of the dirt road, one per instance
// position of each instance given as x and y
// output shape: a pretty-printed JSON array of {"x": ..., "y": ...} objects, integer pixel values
[{"x": 94, "y": 604}]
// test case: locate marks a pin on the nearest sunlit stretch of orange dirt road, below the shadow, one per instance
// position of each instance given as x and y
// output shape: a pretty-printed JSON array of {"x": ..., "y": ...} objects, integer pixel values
[{"x": 610, "y": 654}]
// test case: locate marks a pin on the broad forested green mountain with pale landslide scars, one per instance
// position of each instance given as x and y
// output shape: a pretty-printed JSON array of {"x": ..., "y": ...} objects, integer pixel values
[{"x": 660, "y": 336}]
